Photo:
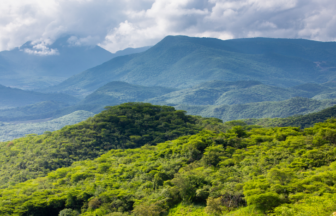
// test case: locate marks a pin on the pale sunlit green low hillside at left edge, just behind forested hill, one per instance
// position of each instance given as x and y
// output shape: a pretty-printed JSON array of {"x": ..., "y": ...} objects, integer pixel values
[{"x": 9, "y": 131}]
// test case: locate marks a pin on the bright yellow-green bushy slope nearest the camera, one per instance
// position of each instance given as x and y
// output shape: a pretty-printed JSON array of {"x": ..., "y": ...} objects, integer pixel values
[{"x": 280, "y": 171}]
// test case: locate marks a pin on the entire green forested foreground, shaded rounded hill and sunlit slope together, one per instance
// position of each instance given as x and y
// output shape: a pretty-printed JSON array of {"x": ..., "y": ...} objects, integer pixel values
[{"x": 139, "y": 159}]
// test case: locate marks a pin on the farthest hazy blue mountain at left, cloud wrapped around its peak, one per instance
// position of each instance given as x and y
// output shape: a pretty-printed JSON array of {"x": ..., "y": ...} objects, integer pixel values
[{"x": 29, "y": 67}]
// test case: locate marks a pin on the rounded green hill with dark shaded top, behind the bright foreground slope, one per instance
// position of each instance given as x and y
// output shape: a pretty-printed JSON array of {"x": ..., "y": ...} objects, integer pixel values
[{"x": 128, "y": 125}]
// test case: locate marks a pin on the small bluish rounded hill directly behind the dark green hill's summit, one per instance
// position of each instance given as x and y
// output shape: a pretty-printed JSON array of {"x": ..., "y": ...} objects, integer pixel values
[{"x": 117, "y": 92}]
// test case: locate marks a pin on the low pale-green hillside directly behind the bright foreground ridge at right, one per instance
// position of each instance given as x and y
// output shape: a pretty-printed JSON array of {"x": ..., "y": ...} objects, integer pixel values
[{"x": 293, "y": 106}]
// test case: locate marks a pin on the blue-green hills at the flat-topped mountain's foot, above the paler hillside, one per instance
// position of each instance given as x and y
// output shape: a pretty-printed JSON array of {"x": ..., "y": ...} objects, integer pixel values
[{"x": 221, "y": 92}]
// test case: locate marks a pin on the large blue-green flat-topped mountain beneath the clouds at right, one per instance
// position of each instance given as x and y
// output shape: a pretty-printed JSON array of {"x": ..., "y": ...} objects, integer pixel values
[{"x": 181, "y": 62}]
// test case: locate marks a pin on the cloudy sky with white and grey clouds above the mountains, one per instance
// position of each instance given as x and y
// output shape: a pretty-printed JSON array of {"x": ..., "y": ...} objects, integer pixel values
[{"x": 119, "y": 24}]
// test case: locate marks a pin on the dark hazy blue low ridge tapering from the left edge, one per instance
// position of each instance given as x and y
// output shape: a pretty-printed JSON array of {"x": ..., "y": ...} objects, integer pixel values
[{"x": 12, "y": 97}]
